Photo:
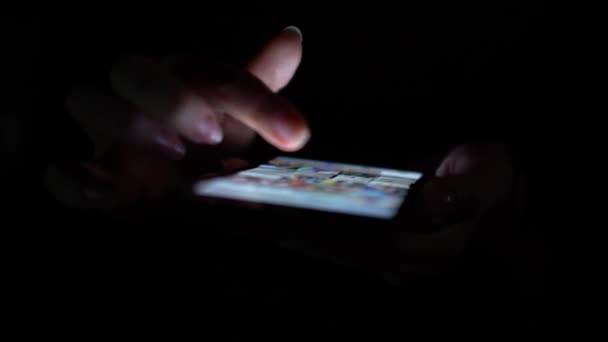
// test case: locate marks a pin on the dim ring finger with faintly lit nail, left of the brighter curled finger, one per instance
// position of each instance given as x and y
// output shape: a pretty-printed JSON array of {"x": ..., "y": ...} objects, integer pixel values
[{"x": 109, "y": 121}]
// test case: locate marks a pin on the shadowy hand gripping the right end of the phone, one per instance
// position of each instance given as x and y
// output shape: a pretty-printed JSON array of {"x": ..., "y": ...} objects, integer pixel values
[{"x": 475, "y": 191}]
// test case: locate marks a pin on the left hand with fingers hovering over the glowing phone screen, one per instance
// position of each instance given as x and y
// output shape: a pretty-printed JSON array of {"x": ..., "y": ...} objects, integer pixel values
[{"x": 158, "y": 115}]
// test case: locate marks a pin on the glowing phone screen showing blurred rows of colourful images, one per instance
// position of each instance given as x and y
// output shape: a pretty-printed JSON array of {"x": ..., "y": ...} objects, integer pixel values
[{"x": 318, "y": 185}]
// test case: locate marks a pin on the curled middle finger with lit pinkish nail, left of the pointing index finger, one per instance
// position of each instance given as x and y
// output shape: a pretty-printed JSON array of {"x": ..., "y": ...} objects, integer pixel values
[{"x": 153, "y": 89}]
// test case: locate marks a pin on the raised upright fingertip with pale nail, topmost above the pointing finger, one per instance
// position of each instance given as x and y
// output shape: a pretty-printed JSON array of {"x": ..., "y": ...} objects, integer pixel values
[{"x": 277, "y": 61}]
